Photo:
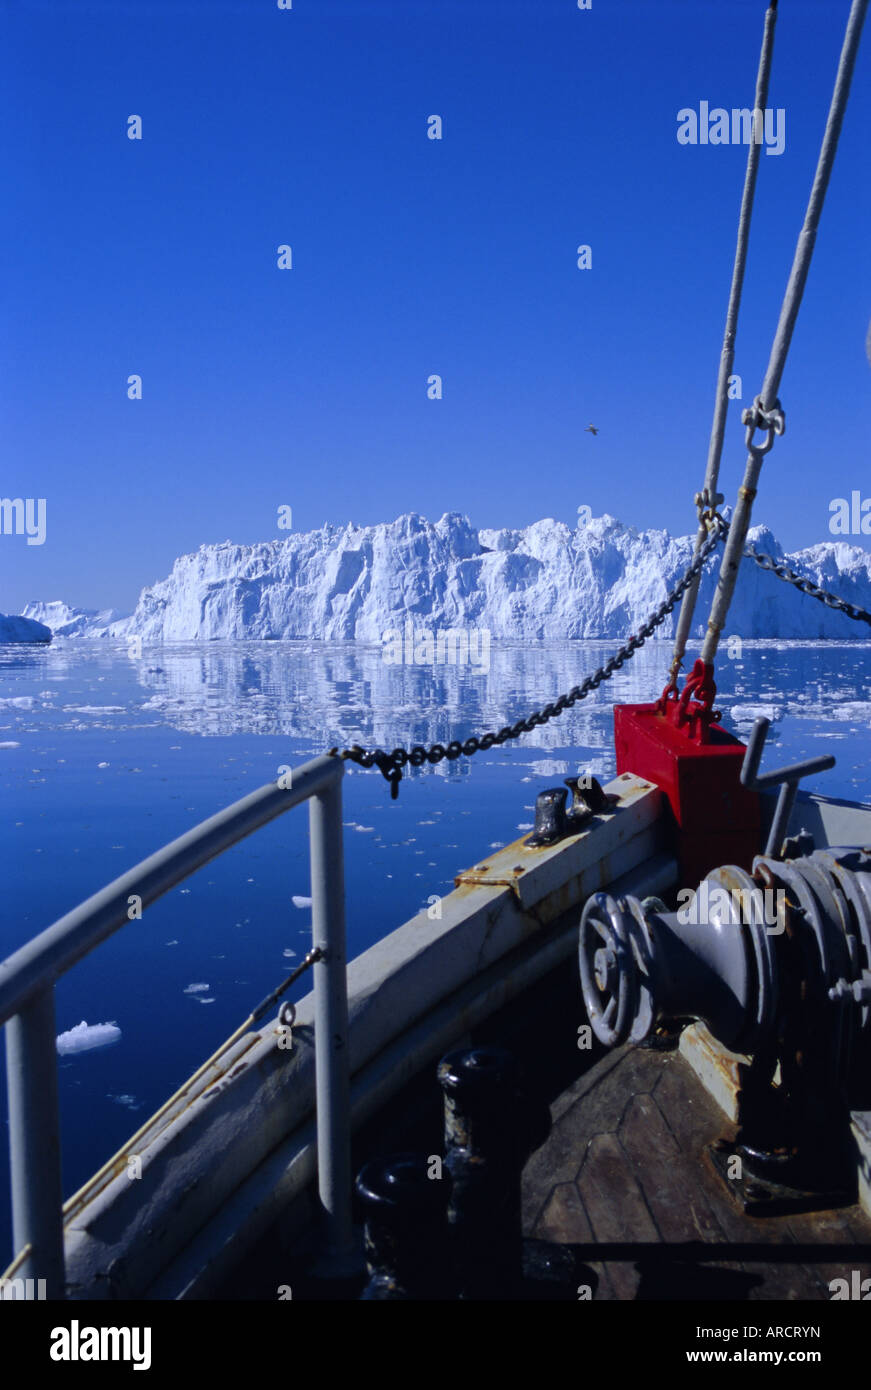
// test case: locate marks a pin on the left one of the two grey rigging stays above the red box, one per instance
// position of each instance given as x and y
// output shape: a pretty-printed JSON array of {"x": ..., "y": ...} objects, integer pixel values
[{"x": 709, "y": 498}]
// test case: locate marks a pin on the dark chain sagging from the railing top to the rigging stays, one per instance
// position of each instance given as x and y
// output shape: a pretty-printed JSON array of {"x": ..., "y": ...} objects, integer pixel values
[{"x": 392, "y": 764}]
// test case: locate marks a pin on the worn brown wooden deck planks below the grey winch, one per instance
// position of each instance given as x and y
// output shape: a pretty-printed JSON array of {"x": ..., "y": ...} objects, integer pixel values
[{"x": 627, "y": 1163}]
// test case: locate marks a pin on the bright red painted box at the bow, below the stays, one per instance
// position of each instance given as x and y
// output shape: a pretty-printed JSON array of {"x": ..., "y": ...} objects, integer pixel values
[{"x": 715, "y": 821}]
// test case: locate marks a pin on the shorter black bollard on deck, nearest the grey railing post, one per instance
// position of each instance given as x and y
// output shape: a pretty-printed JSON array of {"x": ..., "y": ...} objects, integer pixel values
[{"x": 405, "y": 1232}]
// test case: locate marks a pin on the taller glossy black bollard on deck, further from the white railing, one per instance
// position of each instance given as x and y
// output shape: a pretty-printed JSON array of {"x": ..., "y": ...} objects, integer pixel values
[{"x": 487, "y": 1140}]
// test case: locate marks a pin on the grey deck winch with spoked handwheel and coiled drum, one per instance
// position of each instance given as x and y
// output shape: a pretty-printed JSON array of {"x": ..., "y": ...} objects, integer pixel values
[{"x": 776, "y": 964}]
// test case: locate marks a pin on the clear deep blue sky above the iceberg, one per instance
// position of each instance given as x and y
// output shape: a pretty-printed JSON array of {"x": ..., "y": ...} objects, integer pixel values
[{"x": 308, "y": 389}]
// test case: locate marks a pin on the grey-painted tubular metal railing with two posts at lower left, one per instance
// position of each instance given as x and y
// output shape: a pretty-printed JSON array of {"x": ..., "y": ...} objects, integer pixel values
[{"x": 27, "y": 1007}]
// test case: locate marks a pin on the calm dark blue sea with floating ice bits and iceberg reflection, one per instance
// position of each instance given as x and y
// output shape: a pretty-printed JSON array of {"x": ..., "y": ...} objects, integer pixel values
[{"x": 103, "y": 760}]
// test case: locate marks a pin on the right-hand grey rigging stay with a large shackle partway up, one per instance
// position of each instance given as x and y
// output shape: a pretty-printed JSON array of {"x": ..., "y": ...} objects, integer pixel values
[{"x": 766, "y": 412}]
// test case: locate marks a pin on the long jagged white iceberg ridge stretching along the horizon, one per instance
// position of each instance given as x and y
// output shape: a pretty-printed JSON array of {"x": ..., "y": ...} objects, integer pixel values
[{"x": 601, "y": 580}]
